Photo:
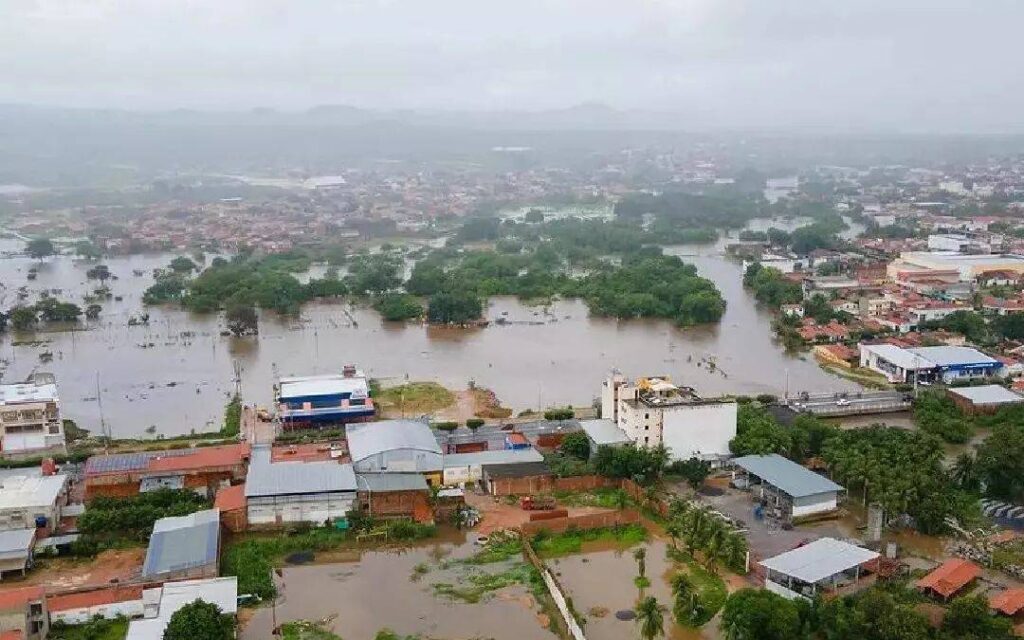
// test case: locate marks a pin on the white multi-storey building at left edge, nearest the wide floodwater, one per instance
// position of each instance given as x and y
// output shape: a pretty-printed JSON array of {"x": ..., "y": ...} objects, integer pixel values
[{"x": 30, "y": 416}]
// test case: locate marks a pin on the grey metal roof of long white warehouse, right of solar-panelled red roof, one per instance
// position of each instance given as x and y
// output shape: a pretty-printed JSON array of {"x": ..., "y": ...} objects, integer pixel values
[{"x": 289, "y": 479}]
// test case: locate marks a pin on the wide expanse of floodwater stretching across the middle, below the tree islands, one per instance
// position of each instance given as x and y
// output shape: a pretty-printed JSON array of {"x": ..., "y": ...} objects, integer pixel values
[{"x": 176, "y": 375}]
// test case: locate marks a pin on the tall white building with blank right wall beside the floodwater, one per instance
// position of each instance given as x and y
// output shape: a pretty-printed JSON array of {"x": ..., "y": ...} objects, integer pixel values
[{"x": 653, "y": 411}]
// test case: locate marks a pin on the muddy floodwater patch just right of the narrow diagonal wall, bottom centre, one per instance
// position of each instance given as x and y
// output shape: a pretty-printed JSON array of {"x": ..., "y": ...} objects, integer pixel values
[{"x": 601, "y": 582}]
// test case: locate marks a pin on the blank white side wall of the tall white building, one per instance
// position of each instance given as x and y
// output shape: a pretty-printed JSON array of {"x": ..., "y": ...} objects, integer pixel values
[{"x": 700, "y": 431}]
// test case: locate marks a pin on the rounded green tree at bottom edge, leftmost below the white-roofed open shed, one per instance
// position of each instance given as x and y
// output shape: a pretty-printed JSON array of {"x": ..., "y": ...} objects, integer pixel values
[{"x": 760, "y": 615}]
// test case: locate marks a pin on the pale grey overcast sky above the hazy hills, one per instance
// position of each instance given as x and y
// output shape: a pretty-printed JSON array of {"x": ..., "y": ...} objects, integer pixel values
[{"x": 887, "y": 65}]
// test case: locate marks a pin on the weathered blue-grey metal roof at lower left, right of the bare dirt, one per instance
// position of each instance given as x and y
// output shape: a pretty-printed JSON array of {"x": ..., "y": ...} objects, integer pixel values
[{"x": 183, "y": 543}]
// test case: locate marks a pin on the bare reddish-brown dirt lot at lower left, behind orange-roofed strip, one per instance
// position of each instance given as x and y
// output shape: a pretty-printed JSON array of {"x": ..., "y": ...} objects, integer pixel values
[{"x": 59, "y": 574}]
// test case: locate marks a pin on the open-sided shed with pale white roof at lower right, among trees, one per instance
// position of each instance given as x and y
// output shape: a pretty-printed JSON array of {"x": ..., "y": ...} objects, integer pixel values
[{"x": 824, "y": 566}]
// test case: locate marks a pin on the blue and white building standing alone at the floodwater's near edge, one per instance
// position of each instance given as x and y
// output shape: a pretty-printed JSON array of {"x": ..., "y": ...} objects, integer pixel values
[{"x": 335, "y": 398}]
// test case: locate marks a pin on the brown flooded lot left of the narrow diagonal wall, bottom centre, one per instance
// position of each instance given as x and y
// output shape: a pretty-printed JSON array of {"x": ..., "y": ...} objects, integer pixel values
[{"x": 373, "y": 590}]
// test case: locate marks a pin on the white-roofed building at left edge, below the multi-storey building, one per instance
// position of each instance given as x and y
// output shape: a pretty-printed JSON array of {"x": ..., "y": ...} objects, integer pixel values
[{"x": 33, "y": 502}]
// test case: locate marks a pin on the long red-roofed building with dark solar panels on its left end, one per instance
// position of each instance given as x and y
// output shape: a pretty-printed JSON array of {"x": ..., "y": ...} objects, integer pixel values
[{"x": 204, "y": 470}]
